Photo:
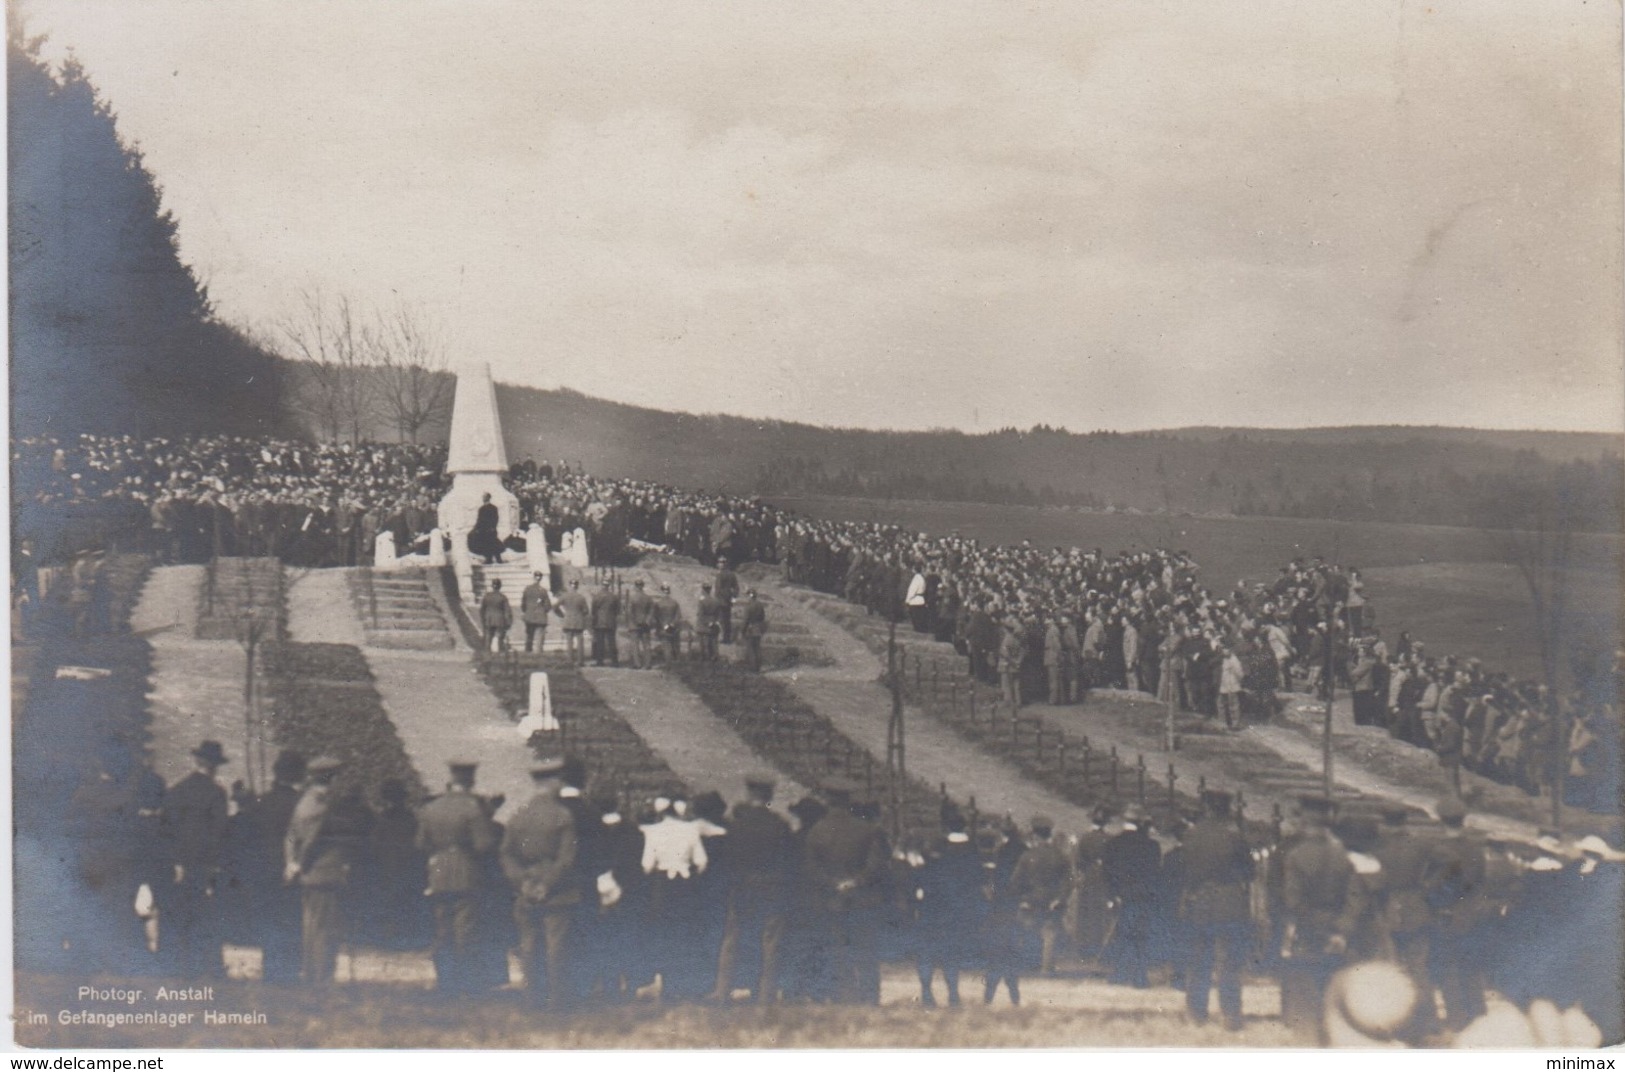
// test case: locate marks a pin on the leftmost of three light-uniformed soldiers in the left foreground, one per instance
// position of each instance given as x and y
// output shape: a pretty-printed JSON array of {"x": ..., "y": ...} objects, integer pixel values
[{"x": 324, "y": 839}]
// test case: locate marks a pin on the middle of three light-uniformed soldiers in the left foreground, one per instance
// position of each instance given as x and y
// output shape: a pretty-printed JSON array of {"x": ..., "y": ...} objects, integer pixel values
[{"x": 456, "y": 834}]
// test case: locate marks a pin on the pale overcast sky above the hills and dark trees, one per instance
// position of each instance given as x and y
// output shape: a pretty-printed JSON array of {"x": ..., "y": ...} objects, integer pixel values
[{"x": 912, "y": 215}]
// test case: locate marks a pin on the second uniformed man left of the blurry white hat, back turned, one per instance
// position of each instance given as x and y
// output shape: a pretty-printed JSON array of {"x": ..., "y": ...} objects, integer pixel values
[{"x": 1215, "y": 906}]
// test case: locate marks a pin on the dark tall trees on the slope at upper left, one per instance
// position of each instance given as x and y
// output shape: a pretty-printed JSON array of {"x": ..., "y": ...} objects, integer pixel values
[{"x": 111, "y": 331}]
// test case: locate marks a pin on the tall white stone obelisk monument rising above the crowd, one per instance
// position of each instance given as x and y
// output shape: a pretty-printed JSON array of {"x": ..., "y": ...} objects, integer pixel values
[{"x": 477, "y": 460}]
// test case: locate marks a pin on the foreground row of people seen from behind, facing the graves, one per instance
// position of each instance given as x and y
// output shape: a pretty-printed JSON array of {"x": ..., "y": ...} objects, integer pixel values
[{"x": 690, "y": 901}]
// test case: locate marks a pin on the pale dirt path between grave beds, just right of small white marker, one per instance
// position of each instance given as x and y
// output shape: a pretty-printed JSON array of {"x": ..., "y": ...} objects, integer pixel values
[{"x": 700, "y": 748}]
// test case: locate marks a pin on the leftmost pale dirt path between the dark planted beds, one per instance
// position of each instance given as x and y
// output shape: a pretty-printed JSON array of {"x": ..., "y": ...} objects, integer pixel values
[{"x": 196, "y": 689}]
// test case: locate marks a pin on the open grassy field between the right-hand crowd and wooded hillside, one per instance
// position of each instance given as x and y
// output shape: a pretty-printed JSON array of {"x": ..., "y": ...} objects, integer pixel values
[{"x": 1450, "y": 587}]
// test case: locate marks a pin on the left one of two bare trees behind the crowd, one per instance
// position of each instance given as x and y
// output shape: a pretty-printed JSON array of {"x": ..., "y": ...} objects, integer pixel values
[{"x": 336, "y": 350}]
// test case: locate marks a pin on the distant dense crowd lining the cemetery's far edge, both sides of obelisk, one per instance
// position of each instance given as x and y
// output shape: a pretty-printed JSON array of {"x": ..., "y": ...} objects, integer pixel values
[{"x": 1041, "y": 625}]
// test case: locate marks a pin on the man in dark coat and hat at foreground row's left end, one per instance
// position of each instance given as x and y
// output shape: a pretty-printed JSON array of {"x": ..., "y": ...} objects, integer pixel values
[{"x": 194, "y": 824}]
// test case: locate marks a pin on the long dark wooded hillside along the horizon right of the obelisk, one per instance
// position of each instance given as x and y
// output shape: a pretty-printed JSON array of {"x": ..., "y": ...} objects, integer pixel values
[{"x": 1419, "y": 475}]
